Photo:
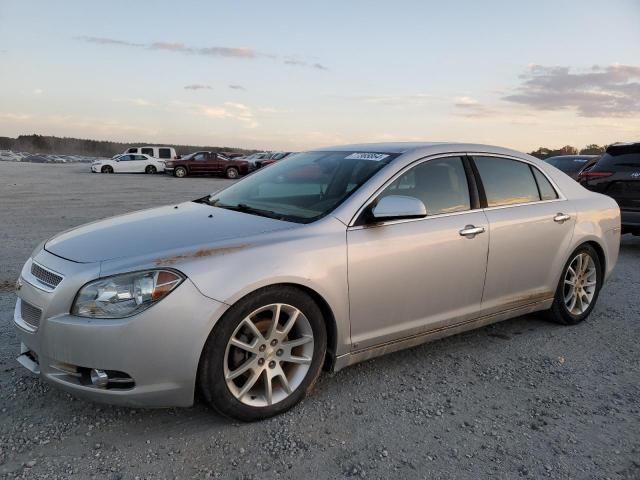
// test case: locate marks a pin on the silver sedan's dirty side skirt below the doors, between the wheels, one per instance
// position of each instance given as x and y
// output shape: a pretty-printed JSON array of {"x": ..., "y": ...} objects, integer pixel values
[{"x": 358, "y": 356}]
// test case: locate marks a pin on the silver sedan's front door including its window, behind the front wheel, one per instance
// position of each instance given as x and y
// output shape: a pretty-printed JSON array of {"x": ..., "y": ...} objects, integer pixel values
[{"x": 410, "y": 276}]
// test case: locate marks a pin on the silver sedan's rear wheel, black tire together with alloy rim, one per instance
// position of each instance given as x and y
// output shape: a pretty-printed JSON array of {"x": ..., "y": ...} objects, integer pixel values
[{"x": 560, "y": 311}]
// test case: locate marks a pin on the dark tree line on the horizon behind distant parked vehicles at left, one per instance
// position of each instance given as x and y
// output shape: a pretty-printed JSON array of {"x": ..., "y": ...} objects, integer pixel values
[{"x": 93, "y": 148}]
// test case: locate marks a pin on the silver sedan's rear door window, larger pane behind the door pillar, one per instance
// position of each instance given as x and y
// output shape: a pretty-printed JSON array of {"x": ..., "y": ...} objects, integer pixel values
[{"x": 506, "y": 182}]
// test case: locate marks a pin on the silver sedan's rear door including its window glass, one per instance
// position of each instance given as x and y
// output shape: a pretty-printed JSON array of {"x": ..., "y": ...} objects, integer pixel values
[{"x": 530, "y": 231}]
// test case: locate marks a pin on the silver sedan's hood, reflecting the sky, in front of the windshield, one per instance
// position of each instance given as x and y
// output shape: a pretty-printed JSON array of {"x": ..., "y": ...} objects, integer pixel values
[{"x": 157, "y": 230}]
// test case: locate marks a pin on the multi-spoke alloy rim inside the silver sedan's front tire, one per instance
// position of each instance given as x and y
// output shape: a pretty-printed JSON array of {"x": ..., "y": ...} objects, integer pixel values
[{"x": 268, "y": 355}]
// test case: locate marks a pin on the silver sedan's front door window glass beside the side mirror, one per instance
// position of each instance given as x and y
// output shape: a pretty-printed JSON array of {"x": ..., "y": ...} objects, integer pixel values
[{"x": 441, "y": 184}]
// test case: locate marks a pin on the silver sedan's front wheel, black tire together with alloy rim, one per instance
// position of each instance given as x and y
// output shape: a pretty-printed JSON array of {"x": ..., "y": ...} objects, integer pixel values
[{"x": 220, "y": 359}]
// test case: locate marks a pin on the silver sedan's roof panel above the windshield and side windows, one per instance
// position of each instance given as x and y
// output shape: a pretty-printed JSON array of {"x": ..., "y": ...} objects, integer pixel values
[{"x": 426, "y": 148}]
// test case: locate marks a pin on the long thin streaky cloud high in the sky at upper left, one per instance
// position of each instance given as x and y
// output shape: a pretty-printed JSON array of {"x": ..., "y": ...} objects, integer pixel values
[{"x": 216, "y": 51}]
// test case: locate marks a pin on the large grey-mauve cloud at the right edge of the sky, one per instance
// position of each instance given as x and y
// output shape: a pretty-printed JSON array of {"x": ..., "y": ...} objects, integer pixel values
[{"x": 610, "y": 91}]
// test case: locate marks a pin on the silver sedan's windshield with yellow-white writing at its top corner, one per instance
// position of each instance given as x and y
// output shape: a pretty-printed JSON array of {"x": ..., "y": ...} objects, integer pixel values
[{"x": 303, "y": 187}]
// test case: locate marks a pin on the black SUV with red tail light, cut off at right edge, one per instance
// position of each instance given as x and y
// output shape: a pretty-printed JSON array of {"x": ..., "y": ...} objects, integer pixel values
[{"x": 617, "y": 174}]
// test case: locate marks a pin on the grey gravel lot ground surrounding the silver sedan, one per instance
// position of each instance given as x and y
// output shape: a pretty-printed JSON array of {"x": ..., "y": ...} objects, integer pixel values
[{"x": 523, "y": 398}]
